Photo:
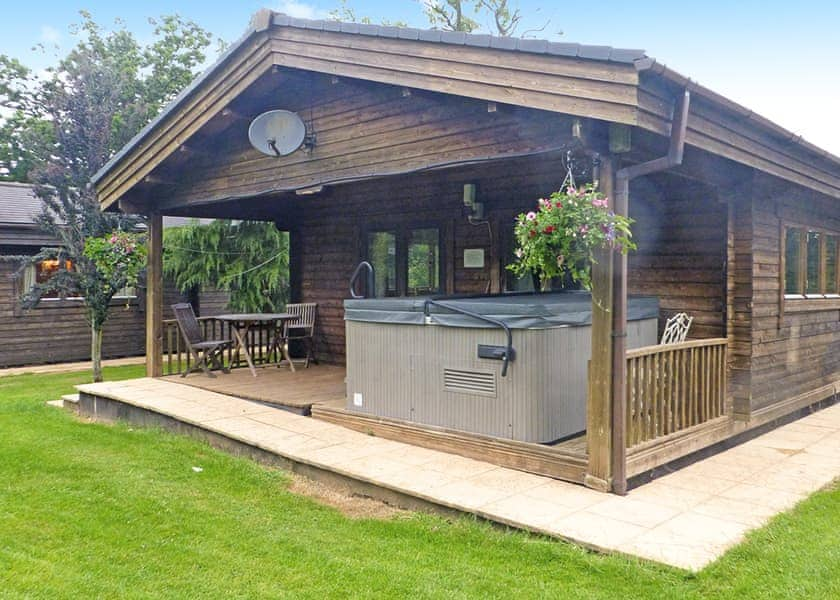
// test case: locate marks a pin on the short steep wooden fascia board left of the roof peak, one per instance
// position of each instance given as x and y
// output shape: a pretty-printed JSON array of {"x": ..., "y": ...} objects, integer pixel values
[{"x": 252, "y": 61}]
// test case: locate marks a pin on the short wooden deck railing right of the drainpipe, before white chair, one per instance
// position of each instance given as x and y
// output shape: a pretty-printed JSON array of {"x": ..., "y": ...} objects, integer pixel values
[{"x": 673, "y": 387}]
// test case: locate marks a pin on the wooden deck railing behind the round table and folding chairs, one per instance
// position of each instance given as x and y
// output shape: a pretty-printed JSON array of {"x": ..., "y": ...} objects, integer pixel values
[{"x": 176, "y": 356}]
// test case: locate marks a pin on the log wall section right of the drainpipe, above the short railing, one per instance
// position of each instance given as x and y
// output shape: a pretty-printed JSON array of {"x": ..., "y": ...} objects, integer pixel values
[{"x": 680, "y": 231}]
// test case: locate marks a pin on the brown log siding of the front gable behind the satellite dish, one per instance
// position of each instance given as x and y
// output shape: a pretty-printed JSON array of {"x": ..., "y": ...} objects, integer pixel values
[{"x": 366, "y": 128}]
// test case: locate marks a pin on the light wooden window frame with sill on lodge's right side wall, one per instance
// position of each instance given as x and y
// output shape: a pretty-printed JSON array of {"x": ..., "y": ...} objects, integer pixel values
[{"x": 802, "y": 299}]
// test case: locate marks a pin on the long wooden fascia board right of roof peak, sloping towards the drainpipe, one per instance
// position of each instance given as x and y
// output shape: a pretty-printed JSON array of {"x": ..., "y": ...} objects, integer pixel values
[{"x": 428, "y": 66}]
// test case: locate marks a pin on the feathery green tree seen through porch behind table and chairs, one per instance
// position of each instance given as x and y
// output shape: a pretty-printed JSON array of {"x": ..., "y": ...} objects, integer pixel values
[{"x": 249, "y": 259}]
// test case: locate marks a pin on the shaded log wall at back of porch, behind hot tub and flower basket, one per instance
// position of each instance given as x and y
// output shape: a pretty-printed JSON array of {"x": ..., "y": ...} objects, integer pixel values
[{"x": 681, "y": 230}]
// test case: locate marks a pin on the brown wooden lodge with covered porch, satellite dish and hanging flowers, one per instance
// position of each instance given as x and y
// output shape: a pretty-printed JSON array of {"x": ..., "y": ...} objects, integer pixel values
[{"x": 737, "y": 221}]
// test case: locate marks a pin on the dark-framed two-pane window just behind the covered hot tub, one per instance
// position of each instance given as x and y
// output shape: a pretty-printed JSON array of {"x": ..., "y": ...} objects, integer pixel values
[{"x": 406, "y": 262}]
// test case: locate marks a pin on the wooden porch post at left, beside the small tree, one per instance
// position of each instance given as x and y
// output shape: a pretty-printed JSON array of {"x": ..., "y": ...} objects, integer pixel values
[{"x": 154, "y": 297}]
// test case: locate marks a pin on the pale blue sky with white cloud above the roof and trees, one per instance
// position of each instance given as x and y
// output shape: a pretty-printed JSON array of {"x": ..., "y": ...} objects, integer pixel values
[{"x": 778, "y": 58}]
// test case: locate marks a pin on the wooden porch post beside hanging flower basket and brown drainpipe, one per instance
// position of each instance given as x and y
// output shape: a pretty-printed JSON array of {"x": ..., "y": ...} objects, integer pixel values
[{"x": 599, "y": 398}]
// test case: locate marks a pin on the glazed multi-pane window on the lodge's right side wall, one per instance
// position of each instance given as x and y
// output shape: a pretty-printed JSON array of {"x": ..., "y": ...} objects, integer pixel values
[{"x": 811, "y": 258}]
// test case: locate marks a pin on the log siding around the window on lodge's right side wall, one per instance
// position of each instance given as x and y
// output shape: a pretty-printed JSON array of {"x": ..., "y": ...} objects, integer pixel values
[{"x": 800, "y": 352}]
